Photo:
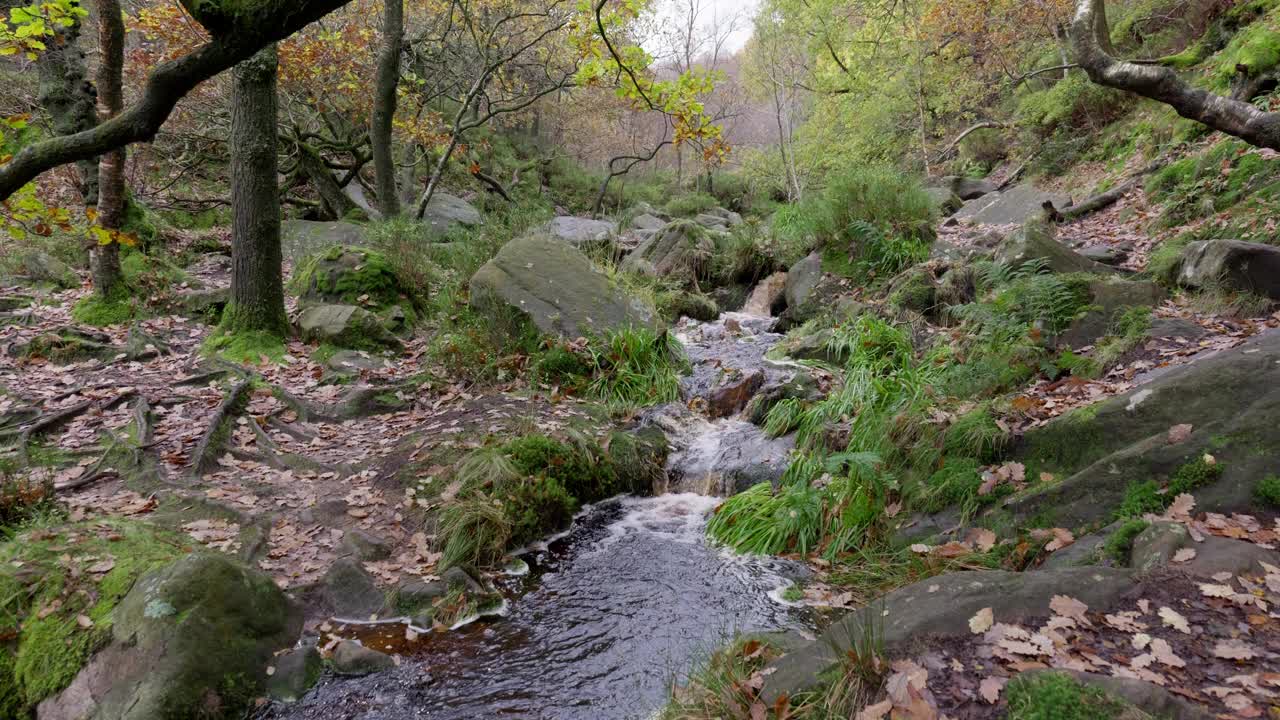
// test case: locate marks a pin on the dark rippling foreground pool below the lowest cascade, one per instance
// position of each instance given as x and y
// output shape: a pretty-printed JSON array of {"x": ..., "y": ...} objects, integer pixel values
[{"x": 597, "y": 631}]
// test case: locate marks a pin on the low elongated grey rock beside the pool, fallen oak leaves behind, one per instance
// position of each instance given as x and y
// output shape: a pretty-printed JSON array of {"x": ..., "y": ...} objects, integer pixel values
[{"x": 943, "y": 607}]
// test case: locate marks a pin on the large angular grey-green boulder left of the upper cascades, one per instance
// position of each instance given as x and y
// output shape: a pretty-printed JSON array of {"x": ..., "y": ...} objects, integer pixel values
[{"x": 557, "y": 288}]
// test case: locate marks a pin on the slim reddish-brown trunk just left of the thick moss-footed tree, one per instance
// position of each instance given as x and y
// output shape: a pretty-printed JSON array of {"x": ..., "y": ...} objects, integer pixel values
[{"x": 106, "y": 259}]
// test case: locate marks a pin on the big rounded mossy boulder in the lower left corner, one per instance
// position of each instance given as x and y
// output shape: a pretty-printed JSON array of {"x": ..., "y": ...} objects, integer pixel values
[{"x": 190, "y": 639}]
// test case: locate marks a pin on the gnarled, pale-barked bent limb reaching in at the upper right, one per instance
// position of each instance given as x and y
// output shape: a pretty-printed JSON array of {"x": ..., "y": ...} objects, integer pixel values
[{"x": 1236, "y": 117}]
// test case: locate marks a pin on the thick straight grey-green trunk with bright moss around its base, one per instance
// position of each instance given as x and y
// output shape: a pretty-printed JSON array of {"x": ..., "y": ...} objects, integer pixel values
[{"x": 258, "y": 284}]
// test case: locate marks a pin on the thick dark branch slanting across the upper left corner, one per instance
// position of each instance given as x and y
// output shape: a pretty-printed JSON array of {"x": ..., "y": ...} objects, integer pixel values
[{"x": 170, "y": 83}]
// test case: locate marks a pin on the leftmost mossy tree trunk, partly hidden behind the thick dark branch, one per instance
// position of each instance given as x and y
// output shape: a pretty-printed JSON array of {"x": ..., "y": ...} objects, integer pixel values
[{"x": 70, "y": 98}]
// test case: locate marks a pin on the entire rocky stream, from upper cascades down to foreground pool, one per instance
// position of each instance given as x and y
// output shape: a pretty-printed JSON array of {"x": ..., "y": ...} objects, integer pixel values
[{"x": 624, "y": 604}]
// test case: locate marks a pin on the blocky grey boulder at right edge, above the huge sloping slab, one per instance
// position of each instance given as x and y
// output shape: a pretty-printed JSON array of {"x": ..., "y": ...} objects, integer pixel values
[{"x": 1249, "y": 267}]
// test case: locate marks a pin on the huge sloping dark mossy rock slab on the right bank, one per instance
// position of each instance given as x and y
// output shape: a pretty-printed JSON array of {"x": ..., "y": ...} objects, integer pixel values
[{"x": 1231, "y": 402}]
